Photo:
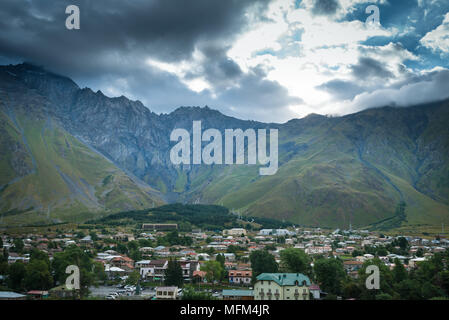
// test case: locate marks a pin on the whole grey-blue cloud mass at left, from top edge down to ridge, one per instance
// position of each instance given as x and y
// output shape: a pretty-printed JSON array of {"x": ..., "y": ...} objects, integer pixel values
[{"x": 117, "y": 37}]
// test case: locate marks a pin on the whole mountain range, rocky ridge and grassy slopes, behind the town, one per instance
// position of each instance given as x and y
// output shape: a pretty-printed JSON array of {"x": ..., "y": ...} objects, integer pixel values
[{"x": 71, "y": 154}]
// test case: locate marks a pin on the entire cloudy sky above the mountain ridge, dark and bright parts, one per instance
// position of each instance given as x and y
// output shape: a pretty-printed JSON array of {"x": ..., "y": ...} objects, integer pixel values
[{"x": 267, "y": 60}]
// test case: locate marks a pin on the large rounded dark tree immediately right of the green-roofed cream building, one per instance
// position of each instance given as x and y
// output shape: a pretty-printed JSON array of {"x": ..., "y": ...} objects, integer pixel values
[{"x": 330, "y": 274}]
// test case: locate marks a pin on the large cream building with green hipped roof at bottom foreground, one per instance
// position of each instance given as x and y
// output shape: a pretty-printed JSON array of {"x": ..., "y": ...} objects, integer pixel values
[{"x": 282, "y": 286}]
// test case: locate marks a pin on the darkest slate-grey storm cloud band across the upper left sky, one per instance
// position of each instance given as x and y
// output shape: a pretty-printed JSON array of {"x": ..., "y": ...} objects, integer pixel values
[{"x": 168, "y": 30}]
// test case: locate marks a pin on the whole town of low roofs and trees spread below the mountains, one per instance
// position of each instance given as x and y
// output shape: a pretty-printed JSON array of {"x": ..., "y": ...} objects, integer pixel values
[{"x": 154, "y": 261}]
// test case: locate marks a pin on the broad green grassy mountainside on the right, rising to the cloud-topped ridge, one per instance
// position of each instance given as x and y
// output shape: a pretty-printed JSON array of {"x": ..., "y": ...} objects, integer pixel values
[{"x": 336, "y": 171}]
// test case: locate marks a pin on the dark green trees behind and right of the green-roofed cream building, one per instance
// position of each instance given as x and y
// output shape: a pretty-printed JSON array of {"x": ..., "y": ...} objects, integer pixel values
[{"x": 429, "y": 281}]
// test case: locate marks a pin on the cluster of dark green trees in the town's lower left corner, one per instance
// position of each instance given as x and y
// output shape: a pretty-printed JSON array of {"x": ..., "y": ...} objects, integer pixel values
[{"x": 42, "y": 274}]
